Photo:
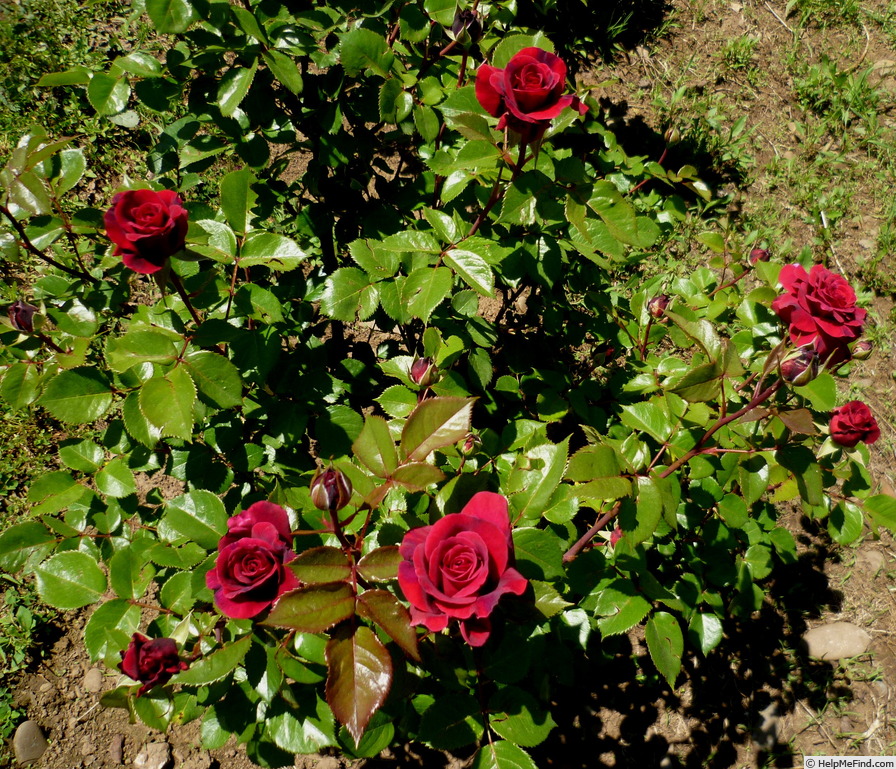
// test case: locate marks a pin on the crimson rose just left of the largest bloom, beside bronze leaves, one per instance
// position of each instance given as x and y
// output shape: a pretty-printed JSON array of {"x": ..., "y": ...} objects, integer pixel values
[{"x": 250, "y": 572}]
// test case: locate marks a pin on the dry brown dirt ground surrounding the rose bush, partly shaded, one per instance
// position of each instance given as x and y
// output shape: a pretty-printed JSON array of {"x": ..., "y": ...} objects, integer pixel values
[{"x": 760, "y": 700}]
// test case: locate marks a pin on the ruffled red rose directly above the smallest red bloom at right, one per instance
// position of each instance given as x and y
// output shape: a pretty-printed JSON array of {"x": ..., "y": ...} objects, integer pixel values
[{"x": 819, "y": 308}]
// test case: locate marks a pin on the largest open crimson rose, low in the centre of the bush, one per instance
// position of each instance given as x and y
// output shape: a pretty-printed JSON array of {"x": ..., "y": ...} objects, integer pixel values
[{"x": 459, "y": 568}]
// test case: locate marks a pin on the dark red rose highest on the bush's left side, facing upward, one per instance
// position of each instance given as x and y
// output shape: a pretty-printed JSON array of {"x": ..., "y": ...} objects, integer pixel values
[{"x": 146, "y": 227}]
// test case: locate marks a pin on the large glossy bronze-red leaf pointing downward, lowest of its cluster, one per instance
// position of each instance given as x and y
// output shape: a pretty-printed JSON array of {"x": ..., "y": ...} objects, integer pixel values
[{"x": 359, "y": 676}]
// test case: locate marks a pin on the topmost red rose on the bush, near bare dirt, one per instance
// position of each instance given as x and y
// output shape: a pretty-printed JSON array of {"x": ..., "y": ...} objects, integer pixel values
[{"x": 527, "y": 94}]
